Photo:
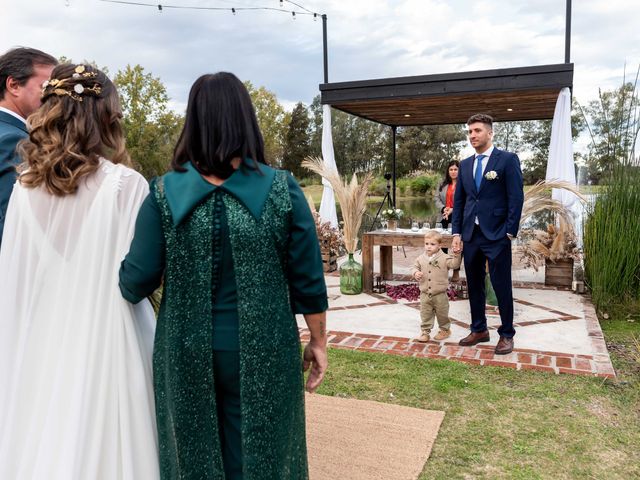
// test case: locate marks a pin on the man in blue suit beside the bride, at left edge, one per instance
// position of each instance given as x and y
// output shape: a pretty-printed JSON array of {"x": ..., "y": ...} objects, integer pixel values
[{"x": 22, "y": 72}]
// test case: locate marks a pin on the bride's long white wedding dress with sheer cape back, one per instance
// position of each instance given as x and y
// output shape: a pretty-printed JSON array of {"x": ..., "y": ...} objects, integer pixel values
[{"x": 76, "y": 395}]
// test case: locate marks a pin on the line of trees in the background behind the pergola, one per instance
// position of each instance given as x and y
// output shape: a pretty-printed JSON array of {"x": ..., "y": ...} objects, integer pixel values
[{"x": 152, "y": 130}]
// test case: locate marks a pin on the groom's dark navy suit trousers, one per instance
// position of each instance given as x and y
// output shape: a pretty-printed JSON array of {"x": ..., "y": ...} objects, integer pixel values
[{"x": 498, "y": 252}]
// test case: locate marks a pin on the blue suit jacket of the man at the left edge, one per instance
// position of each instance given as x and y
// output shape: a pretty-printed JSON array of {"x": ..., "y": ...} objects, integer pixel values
[{"x": 12, "y": 130}]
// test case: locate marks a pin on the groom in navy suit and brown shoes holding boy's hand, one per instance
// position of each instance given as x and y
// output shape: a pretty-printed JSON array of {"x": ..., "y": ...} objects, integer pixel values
[{"x": 486, "y": 216}]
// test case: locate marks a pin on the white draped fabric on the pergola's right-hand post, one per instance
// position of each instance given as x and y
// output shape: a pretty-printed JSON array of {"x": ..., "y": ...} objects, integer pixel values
[{"x": 561, "y": 165}]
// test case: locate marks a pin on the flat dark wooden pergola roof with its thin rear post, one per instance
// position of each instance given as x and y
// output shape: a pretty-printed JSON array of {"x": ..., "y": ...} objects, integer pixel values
[{"x": 507, "y": 94}]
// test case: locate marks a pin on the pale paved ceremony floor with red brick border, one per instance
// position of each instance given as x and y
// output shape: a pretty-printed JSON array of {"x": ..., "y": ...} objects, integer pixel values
[{"x": 556, "y": 330}]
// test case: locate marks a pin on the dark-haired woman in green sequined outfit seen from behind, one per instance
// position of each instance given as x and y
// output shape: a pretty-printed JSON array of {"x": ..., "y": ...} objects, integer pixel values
[{"x": 236, "y": 245}]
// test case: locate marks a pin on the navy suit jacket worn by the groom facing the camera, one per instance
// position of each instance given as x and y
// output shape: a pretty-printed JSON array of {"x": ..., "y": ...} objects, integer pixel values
[{"x": 498, "y": 202}]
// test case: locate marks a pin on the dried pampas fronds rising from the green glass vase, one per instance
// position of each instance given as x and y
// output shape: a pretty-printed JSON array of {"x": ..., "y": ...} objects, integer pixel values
[{"x": 351, "y": 196}]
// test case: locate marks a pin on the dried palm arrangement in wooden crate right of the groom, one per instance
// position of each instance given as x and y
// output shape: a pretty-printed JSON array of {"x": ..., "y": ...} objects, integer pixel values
[{"x": 556, "y": 247}]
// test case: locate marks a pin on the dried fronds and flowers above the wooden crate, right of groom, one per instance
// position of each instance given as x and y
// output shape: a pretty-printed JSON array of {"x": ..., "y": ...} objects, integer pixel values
[{"x": 559, "y": 241}]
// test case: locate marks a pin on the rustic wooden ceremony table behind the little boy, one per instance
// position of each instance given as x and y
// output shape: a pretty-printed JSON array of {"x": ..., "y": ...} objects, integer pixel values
[{"x": 387, "y": 240}]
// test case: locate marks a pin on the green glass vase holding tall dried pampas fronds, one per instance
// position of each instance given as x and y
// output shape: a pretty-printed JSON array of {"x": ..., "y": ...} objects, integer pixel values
[{"x": 352, "y": 197}]
